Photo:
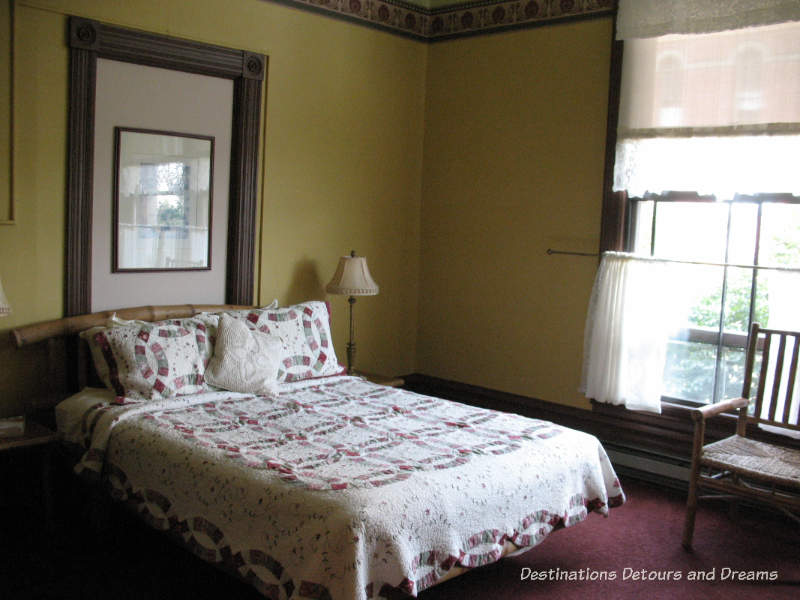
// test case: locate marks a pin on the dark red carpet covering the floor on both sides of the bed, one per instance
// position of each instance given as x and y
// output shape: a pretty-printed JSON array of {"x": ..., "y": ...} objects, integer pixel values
[{"x": 135, "y": 563}]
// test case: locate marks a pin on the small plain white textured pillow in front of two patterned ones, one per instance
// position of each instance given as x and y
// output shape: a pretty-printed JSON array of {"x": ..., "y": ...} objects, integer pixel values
[{"x": 244, "y": 360}]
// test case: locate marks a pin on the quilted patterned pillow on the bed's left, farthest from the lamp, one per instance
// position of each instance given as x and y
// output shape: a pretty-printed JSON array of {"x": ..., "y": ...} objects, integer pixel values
[{"x": 147, "y": 361}]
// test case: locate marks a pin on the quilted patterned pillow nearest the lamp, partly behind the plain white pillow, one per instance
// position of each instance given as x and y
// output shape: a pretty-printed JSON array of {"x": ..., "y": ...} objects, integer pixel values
[{"x": 305, "y": 334}]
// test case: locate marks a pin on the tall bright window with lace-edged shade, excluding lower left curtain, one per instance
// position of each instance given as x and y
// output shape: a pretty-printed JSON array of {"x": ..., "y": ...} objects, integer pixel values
[{"x": 707, "y": 152}]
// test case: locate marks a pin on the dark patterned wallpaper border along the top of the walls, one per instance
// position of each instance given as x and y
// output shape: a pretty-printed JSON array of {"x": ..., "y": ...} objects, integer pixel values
[{"x": 460, "y": 20}]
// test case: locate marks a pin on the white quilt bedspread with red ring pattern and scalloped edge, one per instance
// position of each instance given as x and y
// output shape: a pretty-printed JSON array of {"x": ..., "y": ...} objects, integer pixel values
[{"x": 343, "y": 489}]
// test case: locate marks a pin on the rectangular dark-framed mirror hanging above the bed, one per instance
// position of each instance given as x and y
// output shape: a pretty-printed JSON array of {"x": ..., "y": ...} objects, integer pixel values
[{"x": 162, "y": 201}]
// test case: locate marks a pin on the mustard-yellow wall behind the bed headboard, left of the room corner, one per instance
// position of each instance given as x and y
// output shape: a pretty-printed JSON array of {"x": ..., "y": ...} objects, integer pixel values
[{"x": 342, "y": 164}]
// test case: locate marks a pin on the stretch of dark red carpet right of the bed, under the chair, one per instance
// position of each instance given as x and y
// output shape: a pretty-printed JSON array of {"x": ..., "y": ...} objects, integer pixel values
[{"x": 642, "y": 538}]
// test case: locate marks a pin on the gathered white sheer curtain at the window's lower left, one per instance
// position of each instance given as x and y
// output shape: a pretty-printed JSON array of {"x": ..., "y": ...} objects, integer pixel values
[{"x": 634, "y": 310}]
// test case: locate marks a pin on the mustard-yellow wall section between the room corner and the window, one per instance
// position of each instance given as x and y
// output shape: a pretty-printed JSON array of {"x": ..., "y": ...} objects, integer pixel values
[{"x": 514, "y": 150}]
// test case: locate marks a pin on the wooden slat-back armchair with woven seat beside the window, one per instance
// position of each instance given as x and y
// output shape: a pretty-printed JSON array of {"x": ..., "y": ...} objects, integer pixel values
[{"x": 739, "y": 467}]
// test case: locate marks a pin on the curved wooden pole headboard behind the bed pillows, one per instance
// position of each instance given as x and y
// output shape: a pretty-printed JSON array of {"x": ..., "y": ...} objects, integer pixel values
[{"x": 69, "y": 366}]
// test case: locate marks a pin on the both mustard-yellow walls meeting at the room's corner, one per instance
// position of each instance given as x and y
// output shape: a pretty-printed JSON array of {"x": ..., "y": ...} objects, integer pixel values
[{"x": 452, "y": 166}]
